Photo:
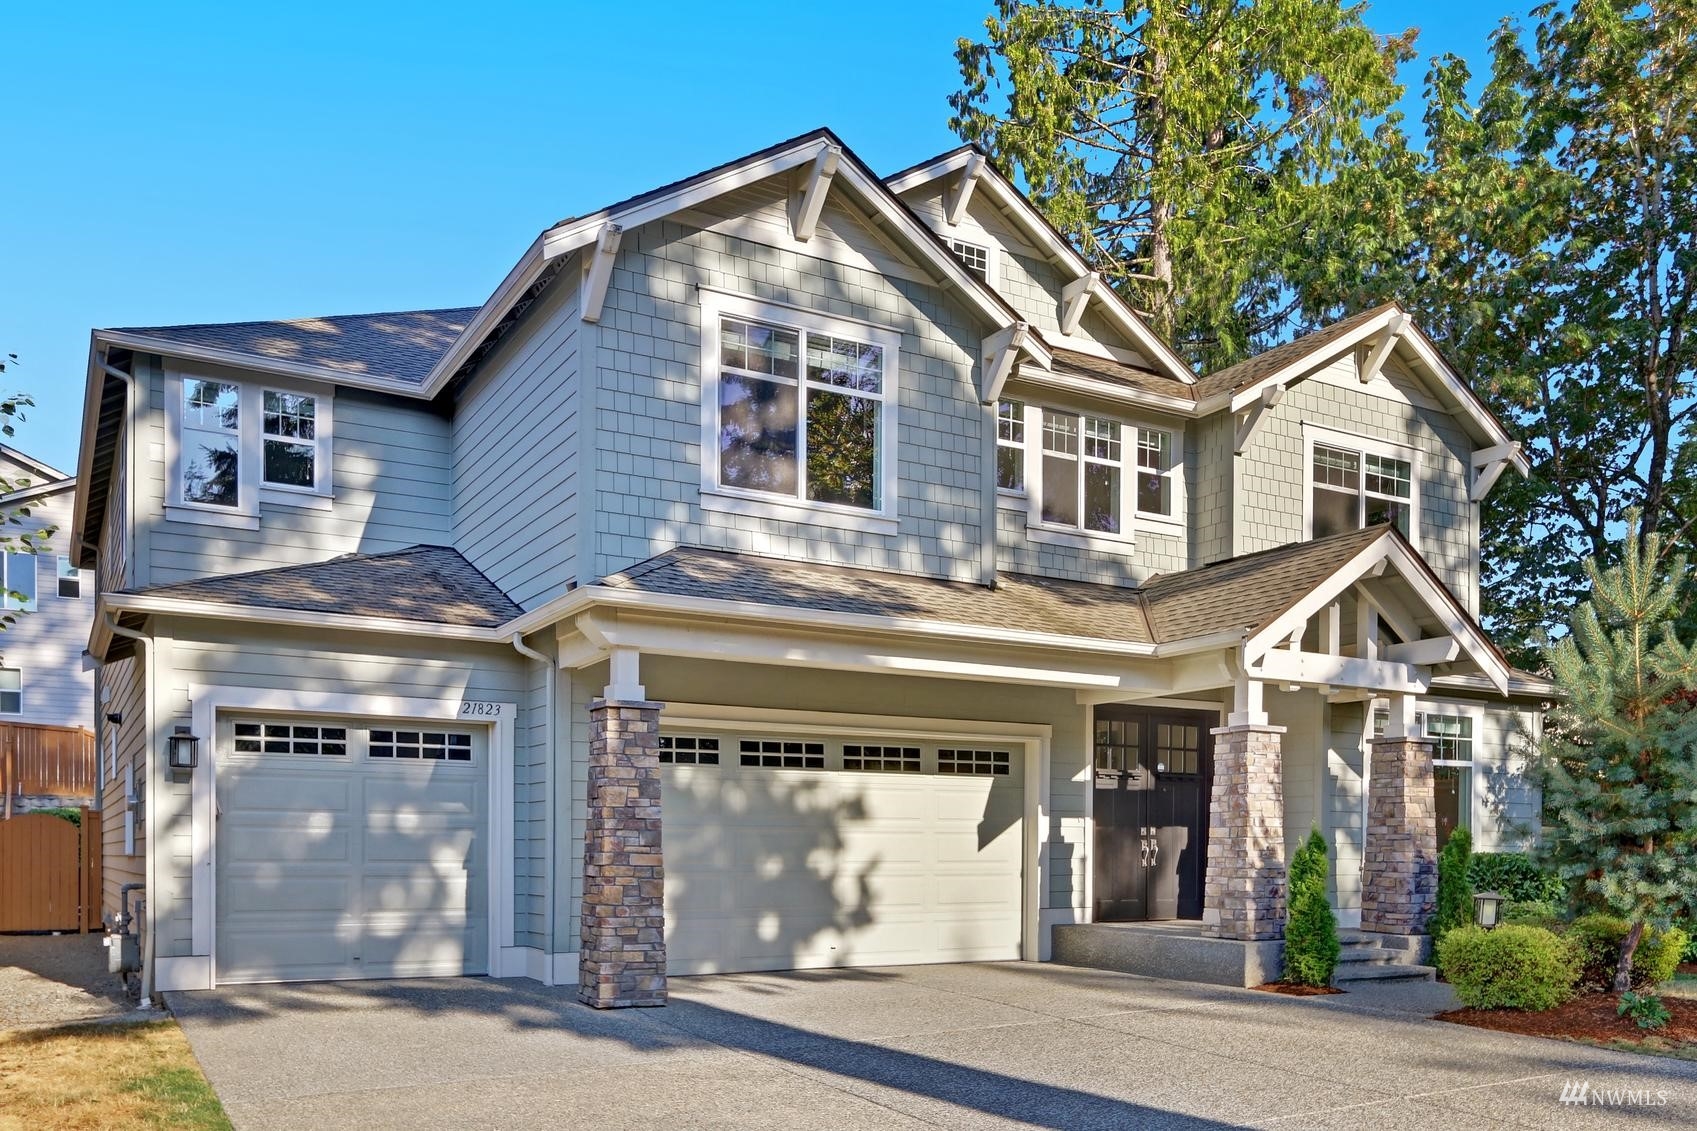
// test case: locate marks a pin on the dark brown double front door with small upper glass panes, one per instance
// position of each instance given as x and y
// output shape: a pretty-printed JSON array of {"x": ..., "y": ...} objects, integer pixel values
[{"x": 1151, "y": 811}]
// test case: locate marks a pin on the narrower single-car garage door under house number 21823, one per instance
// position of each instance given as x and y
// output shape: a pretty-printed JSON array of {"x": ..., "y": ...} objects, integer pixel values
[{"x": 350, "y": 850}]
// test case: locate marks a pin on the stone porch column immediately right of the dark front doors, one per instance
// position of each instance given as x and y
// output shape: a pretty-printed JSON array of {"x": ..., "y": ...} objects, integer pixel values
[{"x": 1245, "y": 896}]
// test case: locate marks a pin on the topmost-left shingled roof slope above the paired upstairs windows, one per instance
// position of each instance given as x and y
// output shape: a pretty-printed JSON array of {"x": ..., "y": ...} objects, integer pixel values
[{"x": 396, "y": 346}]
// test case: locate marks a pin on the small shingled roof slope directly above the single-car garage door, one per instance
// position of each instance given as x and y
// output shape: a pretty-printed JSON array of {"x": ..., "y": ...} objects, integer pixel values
[{"x": 423, "y": 583}]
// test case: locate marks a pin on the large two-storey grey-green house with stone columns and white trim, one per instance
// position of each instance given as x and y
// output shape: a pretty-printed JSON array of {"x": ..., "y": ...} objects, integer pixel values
[{"x": 785, "y": 568}]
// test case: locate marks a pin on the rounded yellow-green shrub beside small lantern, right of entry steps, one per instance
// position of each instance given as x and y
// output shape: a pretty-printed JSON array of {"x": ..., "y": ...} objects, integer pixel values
[{"x": 1511, "y": 967}]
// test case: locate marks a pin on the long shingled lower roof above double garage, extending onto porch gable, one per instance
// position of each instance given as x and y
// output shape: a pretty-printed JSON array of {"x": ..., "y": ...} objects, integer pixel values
[{"x": 1238, "y": 594}]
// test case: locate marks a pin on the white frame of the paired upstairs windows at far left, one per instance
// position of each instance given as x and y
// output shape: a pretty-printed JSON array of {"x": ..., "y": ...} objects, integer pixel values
[{"x": 250, "y": 488}]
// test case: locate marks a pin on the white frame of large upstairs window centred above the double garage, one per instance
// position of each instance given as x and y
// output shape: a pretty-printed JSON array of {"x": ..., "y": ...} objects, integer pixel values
[{"x": 715, "y": 497}]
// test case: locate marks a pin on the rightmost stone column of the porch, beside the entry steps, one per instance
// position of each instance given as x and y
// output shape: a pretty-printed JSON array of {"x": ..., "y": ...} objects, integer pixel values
[{"x": 1399, "y": 858}]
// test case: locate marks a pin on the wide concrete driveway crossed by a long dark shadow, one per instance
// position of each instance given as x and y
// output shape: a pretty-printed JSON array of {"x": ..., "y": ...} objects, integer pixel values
[{"x": 916, "y": 1047}]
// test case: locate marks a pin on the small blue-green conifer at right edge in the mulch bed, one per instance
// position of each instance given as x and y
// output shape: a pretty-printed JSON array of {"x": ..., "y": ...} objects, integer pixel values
[{"x": 1620, "y": 757}]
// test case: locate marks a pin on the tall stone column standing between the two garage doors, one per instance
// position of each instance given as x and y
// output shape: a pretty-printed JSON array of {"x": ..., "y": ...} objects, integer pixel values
[{"x": 624, "y": 942}]
